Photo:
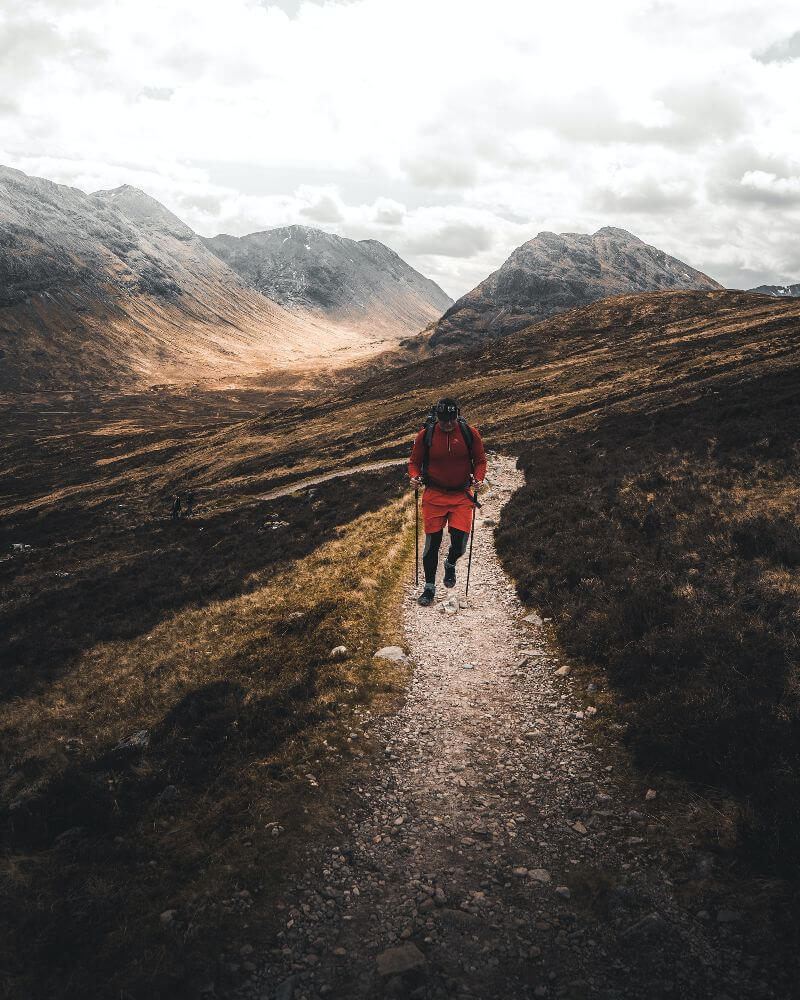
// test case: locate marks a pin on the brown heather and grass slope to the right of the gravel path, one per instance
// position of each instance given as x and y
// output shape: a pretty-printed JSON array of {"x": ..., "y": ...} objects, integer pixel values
[{"x": 660, "y": 521}]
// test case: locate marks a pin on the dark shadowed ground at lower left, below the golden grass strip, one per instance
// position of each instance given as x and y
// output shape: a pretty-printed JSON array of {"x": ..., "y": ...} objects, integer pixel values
[{"x": 97, "y": 823}]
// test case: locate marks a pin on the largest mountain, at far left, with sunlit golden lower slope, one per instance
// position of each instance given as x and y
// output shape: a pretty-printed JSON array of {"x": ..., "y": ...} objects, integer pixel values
[{"x": 111, "y": 289}]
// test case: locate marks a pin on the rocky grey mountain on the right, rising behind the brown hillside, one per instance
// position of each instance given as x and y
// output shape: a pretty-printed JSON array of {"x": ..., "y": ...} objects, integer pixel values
[{"x": 554, "y": 272}]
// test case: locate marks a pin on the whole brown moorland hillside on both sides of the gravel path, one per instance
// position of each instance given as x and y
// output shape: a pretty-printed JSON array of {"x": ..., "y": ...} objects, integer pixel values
[{"x": 657, "y": 528}]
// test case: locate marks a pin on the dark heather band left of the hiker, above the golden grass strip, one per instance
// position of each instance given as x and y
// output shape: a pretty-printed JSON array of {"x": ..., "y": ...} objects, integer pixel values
[{"x": 108, "y": 585}]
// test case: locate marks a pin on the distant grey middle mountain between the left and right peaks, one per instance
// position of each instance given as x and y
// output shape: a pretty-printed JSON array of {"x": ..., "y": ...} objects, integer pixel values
[{"x": 356, "y": 283}]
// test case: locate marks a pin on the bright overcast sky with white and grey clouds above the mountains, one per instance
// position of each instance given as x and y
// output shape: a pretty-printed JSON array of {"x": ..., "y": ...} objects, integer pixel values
[{"x": 452, "y": 130}]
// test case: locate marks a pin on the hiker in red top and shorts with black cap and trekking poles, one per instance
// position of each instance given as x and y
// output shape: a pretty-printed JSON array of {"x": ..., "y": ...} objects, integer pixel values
[{"x": 447, "y": 459}]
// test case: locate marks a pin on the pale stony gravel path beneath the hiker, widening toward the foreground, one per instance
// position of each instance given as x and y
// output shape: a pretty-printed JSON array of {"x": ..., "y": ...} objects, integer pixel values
[{"x": 496, "y": 853}]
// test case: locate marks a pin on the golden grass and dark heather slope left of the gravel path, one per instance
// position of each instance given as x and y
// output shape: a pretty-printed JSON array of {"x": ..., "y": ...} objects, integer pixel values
[{"x": 120, "y": 620}]
